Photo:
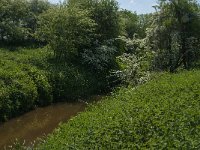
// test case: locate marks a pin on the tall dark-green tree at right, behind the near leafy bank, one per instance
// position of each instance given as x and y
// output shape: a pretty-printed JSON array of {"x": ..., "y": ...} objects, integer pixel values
[{"x": 173, "y": 31}]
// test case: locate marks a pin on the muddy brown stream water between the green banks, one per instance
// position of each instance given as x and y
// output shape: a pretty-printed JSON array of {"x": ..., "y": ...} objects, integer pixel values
[{"x": 37, "y": 123}]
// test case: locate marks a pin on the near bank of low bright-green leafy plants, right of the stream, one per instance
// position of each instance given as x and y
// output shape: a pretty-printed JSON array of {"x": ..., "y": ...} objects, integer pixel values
[{"x": 162, "y": 114}]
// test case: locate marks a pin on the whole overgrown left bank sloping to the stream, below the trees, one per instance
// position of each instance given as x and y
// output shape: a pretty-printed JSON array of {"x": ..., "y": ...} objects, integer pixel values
[{"x": 31, "y": 78}]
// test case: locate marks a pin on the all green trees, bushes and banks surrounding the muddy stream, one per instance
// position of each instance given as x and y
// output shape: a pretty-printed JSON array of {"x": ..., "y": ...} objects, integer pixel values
[{"x": 80, "y": 48}]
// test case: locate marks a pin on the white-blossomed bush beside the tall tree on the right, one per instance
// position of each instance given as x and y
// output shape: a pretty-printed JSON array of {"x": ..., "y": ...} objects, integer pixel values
[{"x": 135, "y": 64}]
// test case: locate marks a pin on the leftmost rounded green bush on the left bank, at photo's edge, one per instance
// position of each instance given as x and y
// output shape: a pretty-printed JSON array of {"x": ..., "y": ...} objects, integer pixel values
[{"x": 19, "y": 92}]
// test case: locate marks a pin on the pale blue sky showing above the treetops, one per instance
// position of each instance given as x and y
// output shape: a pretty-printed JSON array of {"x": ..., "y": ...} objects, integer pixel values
[{"x": 140, "y": 6}]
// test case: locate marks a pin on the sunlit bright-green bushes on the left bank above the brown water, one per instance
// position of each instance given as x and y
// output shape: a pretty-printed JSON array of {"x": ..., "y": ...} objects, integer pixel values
[{"x": 22, "y": 86}]
